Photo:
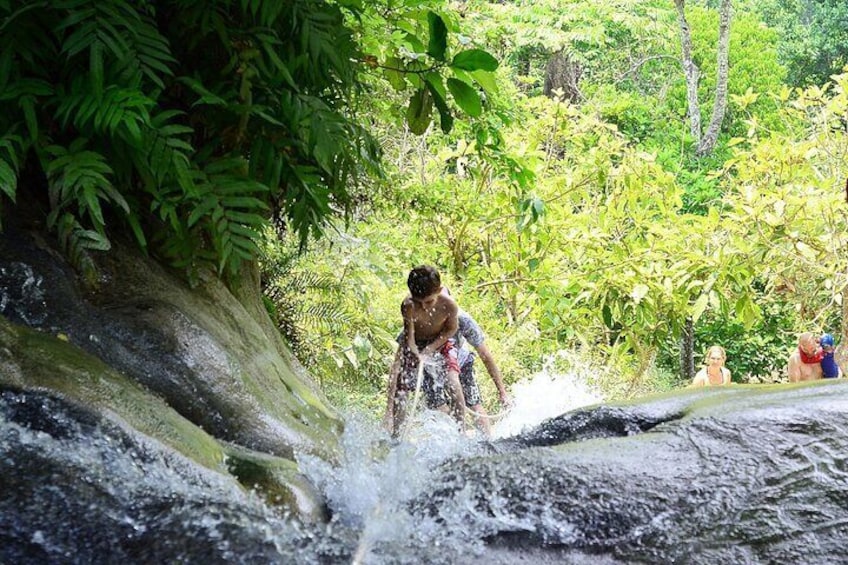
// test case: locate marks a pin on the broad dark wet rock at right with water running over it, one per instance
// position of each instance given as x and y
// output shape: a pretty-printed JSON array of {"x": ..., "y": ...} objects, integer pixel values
[{"x": 745, "y": 475}]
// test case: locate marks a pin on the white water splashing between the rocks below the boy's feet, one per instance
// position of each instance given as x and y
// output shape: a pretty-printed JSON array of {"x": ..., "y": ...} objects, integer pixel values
[{"x": 371, "y": 489}]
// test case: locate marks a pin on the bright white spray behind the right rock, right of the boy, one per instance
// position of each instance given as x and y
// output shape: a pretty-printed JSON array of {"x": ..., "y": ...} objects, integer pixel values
[{"x": 549, "y": 393}]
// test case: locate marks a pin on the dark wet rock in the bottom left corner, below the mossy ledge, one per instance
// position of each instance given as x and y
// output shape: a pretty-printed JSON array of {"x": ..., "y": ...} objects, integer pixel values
[{"x": 78, "y": 488}]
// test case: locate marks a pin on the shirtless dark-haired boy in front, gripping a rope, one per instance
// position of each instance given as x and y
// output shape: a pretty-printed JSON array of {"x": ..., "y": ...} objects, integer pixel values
[{"x": 430, "y": 320}]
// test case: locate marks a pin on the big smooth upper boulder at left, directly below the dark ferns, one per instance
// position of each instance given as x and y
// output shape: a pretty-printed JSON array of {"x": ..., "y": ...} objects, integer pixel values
[{"x": 201, "y": 350}]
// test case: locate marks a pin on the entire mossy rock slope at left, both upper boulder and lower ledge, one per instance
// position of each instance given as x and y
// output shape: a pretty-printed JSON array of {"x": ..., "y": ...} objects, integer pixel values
[{"x": 197, "y": 369}]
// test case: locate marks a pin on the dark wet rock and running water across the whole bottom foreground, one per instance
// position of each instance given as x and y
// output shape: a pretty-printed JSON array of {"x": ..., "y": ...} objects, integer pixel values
[{"x": 742, "y": 475}]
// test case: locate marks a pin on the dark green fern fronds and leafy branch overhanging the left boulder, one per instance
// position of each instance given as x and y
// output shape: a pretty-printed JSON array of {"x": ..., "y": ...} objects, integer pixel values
[{"x": 191, "y": 124}]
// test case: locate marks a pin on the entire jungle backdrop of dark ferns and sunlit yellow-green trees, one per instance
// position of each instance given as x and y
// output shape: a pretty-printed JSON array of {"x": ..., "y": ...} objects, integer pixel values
[{"x": 630, "y": 180}]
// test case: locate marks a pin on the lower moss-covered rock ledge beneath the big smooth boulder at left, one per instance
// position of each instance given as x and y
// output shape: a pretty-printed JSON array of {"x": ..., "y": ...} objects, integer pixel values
[{"x": 37, "y": 365}]
